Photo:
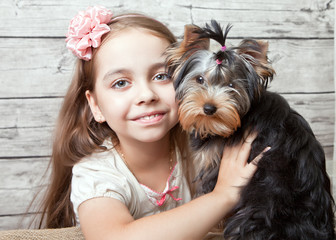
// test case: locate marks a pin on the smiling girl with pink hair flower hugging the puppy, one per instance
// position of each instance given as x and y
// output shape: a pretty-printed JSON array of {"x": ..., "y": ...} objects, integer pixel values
[{"x": 120, "y": 164}]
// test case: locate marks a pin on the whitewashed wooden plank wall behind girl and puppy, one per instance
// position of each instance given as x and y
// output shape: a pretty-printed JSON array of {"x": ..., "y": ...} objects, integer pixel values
[{"x": 36, "y": 69}]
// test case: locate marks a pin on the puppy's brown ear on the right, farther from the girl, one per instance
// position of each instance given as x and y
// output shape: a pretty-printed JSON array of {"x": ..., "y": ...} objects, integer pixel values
[{"x": 255, "y": 51}]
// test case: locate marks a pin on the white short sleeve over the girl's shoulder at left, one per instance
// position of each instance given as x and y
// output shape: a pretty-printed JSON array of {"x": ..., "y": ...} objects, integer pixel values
[{"x": 101, "y": 174}]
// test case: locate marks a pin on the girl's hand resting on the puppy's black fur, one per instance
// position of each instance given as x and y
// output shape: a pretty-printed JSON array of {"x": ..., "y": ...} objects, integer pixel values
[{"x": 234, "y": 171}]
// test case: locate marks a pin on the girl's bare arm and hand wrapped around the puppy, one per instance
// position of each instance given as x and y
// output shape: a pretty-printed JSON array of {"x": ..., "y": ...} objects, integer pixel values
[{"x": 108, "y": 218}]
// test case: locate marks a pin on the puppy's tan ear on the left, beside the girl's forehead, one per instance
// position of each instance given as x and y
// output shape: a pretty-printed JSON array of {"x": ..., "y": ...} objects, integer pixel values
[{"x": 180, "y": 52}]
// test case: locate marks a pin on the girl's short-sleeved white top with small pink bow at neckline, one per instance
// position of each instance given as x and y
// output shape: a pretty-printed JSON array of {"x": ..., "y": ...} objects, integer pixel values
[{"x": 104, "y": 174}]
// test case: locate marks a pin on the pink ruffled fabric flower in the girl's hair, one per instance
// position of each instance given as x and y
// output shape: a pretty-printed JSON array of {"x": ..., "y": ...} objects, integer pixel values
[{"x": 86, "y": 29}]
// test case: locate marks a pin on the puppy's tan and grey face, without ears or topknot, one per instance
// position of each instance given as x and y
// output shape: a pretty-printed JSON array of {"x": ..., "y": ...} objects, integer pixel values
[{"x": 213, "y": 97}]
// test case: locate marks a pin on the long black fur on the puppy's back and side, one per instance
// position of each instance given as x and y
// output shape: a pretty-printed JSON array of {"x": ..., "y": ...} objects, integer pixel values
[{"x": 289, "y": 195}]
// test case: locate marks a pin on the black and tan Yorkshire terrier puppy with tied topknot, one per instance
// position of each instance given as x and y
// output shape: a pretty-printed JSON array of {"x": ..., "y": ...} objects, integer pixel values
[{"x": 223, "y": 97}]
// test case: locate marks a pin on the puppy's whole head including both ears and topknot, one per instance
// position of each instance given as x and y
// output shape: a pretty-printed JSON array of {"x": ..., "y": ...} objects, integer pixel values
[{"x": 215, "y": 90}]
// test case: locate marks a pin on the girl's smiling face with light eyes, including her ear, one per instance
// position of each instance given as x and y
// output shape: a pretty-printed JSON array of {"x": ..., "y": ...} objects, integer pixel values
[{"x": 132, "y": 92}]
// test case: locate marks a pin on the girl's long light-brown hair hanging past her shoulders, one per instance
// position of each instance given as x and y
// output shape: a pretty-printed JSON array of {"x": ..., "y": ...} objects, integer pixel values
[{"x": 77, "y": 134}]
